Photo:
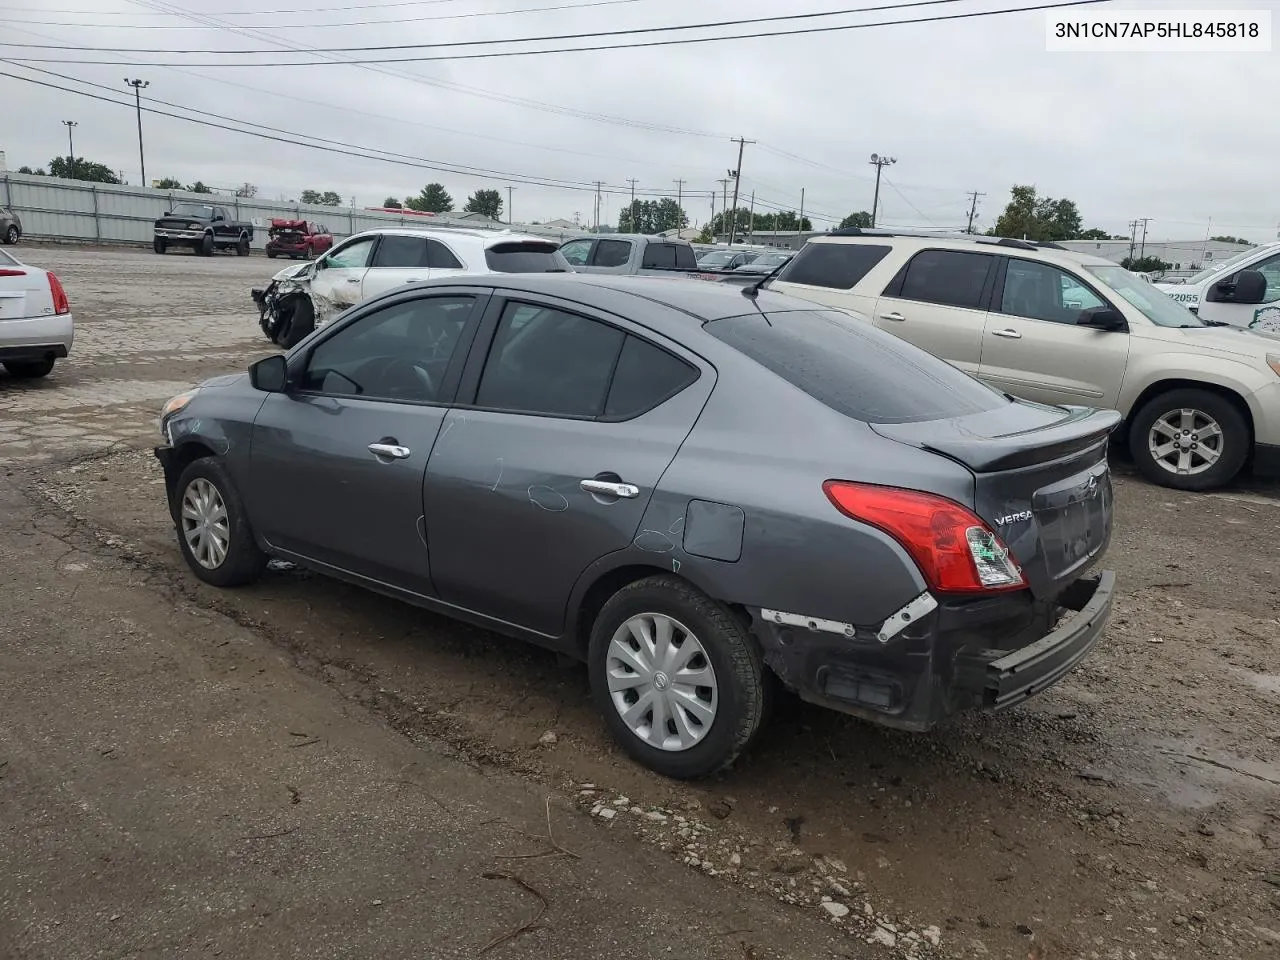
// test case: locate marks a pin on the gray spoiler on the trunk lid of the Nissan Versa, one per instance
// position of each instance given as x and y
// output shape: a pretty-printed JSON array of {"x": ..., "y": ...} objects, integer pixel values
[{"x": 980, "y": 444}]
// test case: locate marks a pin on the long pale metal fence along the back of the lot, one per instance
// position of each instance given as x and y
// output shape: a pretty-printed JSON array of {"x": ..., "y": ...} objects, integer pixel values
[{"x": 52, "y": 208}]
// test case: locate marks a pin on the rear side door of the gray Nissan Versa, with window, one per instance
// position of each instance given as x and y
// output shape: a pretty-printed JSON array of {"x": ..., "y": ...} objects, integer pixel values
[{"x": 573, "y": 424}]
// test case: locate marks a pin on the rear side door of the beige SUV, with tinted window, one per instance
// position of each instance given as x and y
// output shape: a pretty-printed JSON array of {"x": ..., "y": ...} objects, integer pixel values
[{"x": 939, "y": 303}]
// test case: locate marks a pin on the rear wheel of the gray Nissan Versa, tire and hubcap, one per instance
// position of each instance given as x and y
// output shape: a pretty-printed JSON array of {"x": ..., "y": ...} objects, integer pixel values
[{"x": 678, "y": 676}]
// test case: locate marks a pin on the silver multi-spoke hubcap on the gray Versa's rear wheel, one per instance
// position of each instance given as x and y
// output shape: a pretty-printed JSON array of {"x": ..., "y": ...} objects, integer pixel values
[{"x": 662, "y": 683}]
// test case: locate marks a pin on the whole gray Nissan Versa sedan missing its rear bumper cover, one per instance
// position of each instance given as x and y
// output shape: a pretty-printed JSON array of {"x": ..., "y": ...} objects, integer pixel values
[{"x": 700, "y": 490}]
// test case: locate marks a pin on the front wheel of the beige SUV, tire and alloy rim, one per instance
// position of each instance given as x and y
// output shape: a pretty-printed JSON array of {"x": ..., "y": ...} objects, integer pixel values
[{"x": 1190, "y": 440}]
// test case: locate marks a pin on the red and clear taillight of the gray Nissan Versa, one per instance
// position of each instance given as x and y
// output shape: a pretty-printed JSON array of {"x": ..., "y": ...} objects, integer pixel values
[{"x": 956, "y": 551}]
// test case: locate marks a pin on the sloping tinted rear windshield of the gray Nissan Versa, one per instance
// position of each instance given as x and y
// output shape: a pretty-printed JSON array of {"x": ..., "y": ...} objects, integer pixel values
[{"x": 856, "y": 369}]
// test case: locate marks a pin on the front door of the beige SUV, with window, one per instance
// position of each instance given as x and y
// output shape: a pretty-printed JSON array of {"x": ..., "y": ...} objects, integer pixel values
[{"x": 1034, "y": 348}]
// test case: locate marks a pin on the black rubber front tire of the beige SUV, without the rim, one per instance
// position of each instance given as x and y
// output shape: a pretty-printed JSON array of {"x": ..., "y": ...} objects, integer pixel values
[{"x": 1236, "y": 440}]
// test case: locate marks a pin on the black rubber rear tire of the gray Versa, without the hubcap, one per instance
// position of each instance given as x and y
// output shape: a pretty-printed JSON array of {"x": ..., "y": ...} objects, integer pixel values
[{"x": 742, "y": 682}]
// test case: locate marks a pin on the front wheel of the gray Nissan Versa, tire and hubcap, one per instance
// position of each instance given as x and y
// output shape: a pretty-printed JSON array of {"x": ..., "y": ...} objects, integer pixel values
[{"x": 213, "y": 529}]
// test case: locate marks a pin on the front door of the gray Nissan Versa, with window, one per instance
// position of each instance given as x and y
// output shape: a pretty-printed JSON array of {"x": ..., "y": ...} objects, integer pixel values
[{"x": 337, "y": 463}]
